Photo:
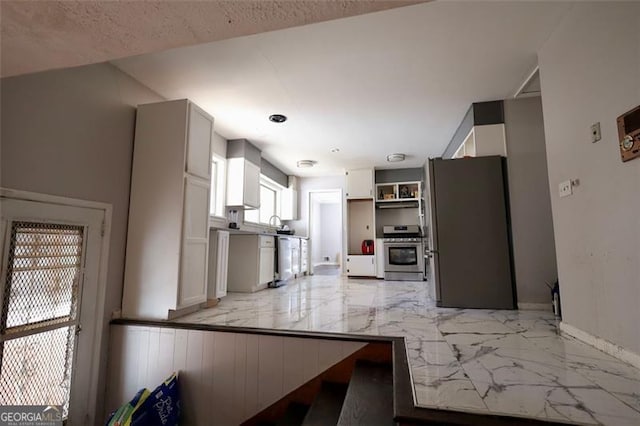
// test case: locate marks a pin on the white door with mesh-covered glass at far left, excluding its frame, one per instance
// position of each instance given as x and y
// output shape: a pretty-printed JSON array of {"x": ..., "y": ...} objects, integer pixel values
[{"x": 49, "y": 330}]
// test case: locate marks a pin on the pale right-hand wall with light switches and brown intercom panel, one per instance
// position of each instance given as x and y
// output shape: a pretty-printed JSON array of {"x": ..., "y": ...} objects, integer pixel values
[{"x": 590, "y": 72}]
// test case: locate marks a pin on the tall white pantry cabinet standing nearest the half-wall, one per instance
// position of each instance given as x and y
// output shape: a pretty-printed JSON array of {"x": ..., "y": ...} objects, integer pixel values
[{"x": 167, "y": 241}]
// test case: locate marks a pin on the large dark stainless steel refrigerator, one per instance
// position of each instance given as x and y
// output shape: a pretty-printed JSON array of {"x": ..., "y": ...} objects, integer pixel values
[{"x": 470, "y": 241}]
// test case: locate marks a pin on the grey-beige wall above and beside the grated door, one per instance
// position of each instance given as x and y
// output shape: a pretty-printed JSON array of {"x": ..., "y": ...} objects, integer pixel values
[{"x": 70, "y": 133}]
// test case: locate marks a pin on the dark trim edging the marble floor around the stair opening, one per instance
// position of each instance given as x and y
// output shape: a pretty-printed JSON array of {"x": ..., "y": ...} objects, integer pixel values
[{"x": 405, "y": 412}]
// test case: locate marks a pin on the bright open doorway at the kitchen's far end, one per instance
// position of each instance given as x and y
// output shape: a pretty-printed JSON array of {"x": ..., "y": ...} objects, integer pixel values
[{"x": 325, "y": 231}]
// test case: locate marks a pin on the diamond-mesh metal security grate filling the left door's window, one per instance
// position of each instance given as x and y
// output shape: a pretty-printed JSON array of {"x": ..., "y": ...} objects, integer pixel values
[{"x": 39, "y": 313}]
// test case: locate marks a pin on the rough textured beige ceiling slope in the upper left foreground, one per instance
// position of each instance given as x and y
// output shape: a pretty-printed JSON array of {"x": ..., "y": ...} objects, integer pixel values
[{"x": 42, "y": 35}]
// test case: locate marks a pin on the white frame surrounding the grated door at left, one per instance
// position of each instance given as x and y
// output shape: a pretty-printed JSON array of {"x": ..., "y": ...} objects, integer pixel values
[{"x": 103, "y": 263}]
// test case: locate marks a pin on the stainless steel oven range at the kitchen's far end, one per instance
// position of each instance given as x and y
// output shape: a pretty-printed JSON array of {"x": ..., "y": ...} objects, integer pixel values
[{"x": 403, "y": 253}]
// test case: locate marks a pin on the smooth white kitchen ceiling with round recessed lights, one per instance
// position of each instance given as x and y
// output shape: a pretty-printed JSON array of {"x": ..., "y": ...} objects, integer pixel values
[{"x": 370, "y": 85}]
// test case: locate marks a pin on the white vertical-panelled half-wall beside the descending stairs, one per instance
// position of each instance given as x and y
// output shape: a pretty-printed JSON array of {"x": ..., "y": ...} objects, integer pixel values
[{"x": 225, "y": 378}]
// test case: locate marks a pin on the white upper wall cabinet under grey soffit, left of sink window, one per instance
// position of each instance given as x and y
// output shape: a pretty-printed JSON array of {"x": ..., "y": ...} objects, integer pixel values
[{"x": 243, "y": 183}]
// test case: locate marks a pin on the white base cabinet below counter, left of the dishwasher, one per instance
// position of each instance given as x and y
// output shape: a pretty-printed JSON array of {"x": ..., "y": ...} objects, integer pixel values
[{"x": 251, "y": 262}]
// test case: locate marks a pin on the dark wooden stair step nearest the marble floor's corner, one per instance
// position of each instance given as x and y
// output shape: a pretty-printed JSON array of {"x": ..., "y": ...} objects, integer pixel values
[{"x": 369, "y": 399}]
